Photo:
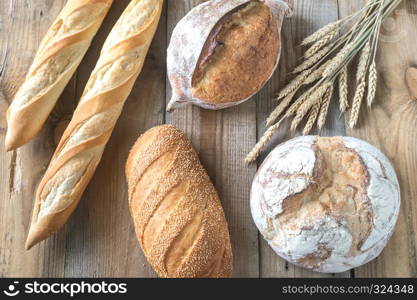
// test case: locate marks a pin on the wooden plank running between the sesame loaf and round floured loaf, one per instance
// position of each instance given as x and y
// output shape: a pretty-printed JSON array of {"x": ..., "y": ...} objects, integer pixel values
[{"x": 222, "y": 139}]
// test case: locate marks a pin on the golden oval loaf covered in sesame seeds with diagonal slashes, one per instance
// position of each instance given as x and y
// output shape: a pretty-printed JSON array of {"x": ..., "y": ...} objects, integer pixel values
[{"x": 177, "y": 213}]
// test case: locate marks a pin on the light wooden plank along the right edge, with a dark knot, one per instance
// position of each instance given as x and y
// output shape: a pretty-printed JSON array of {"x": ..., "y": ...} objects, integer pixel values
[{"x": 391, "y": 126}]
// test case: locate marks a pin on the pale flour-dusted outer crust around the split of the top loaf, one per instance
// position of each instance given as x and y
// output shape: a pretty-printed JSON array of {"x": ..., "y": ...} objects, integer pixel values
[{"x": 189, "y": 39}]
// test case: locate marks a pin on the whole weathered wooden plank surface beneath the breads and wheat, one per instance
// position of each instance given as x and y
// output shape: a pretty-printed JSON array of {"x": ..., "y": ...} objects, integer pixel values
[{"x": 99, "y": 238}]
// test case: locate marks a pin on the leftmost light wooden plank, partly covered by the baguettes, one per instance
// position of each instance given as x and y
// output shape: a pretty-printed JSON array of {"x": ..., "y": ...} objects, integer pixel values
[{"x": 23, "y": 25}]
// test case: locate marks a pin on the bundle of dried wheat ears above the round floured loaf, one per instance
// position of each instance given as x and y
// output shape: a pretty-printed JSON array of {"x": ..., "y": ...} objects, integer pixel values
[{"x": 326, "y": 62}]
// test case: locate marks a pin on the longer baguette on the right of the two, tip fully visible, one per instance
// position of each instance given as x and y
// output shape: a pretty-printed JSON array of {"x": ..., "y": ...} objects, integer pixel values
[{"x": 82, "y": 144}]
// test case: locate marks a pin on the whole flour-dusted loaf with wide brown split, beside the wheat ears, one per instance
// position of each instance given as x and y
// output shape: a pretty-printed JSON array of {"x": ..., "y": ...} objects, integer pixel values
[{"x": 223, "y": 52}]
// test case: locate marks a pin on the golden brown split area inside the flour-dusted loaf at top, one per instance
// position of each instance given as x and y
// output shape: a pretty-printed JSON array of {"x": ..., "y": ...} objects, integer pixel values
[{"x": 239, "y": 55}]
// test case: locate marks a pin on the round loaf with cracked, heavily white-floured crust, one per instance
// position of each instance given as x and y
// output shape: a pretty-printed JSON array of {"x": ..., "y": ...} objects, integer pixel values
[{"x": 326, "y": 204}]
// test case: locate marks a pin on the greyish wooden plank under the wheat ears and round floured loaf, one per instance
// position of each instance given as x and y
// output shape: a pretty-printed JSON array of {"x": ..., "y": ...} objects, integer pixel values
[{"x": 309, "y": 16}]
